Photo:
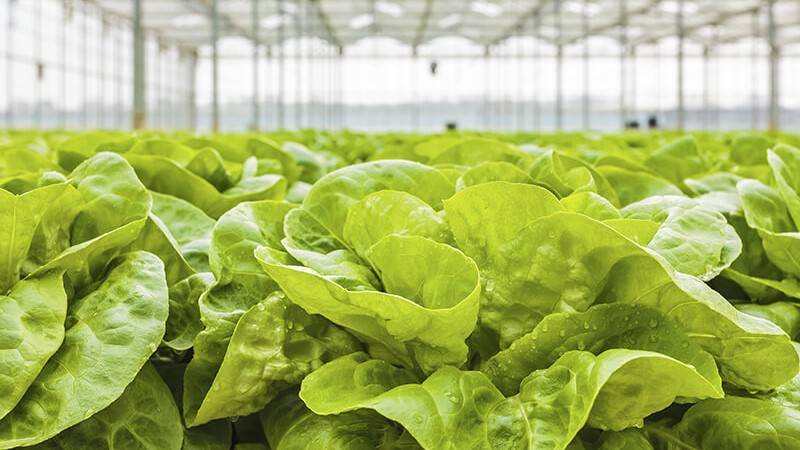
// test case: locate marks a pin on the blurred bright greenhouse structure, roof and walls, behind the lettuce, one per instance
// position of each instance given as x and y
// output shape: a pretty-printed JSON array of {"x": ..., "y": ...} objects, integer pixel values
[{"x": 405, "y": 65}]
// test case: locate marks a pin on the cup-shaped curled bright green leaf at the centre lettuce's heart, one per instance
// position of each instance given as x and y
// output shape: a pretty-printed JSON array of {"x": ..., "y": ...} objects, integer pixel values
[{"x": 429, "y": 308}]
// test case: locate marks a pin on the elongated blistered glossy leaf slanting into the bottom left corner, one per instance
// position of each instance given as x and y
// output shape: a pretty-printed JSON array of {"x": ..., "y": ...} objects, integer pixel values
[{"x": 110, "y": 334}]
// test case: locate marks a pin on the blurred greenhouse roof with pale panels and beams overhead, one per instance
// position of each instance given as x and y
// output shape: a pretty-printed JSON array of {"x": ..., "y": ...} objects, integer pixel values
[{"x": 485, "y": 22}]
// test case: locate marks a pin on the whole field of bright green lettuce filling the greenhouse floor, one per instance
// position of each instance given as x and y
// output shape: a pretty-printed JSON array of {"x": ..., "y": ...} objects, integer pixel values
[{"x": 348, "y": 291}]
